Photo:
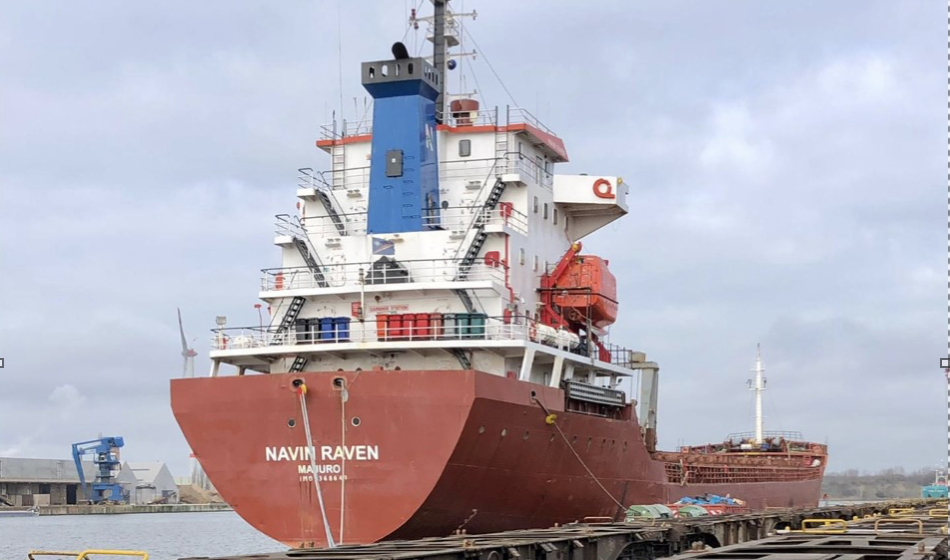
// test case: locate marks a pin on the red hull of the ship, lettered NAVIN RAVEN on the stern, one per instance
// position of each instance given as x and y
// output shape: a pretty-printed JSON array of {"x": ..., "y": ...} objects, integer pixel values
[{"x": 411, "y": 454}]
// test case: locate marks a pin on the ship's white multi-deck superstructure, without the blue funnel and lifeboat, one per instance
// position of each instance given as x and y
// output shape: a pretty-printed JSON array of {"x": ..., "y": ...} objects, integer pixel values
[{"x": 506, "y": 219}]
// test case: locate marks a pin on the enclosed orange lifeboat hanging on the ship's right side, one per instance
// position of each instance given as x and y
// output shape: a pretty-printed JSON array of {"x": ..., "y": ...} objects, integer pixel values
[{"x": 587, "y": 290}]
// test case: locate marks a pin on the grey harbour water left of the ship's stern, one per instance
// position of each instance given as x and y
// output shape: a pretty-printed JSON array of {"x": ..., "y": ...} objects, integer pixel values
[{"x": 165, "y": 536}]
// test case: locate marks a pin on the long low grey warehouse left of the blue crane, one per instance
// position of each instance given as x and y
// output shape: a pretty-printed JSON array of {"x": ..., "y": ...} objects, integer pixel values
[{"x": 41, "y": 482}]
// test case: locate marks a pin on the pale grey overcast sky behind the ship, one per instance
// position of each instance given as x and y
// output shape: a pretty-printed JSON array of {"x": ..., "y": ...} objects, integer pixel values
[{"x": 785, "y": 163}]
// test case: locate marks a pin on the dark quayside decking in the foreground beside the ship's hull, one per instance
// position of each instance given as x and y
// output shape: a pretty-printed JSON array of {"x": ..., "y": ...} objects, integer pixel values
[{"x": 895, "y": 530}]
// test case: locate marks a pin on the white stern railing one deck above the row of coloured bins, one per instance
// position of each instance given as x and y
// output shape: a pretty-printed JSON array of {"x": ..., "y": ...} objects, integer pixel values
[{"x": 353, "y": 274}]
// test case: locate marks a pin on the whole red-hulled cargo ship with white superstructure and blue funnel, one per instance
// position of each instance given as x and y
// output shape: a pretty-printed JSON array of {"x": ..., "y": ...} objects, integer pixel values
[{"x": 439, "y": 354}]
